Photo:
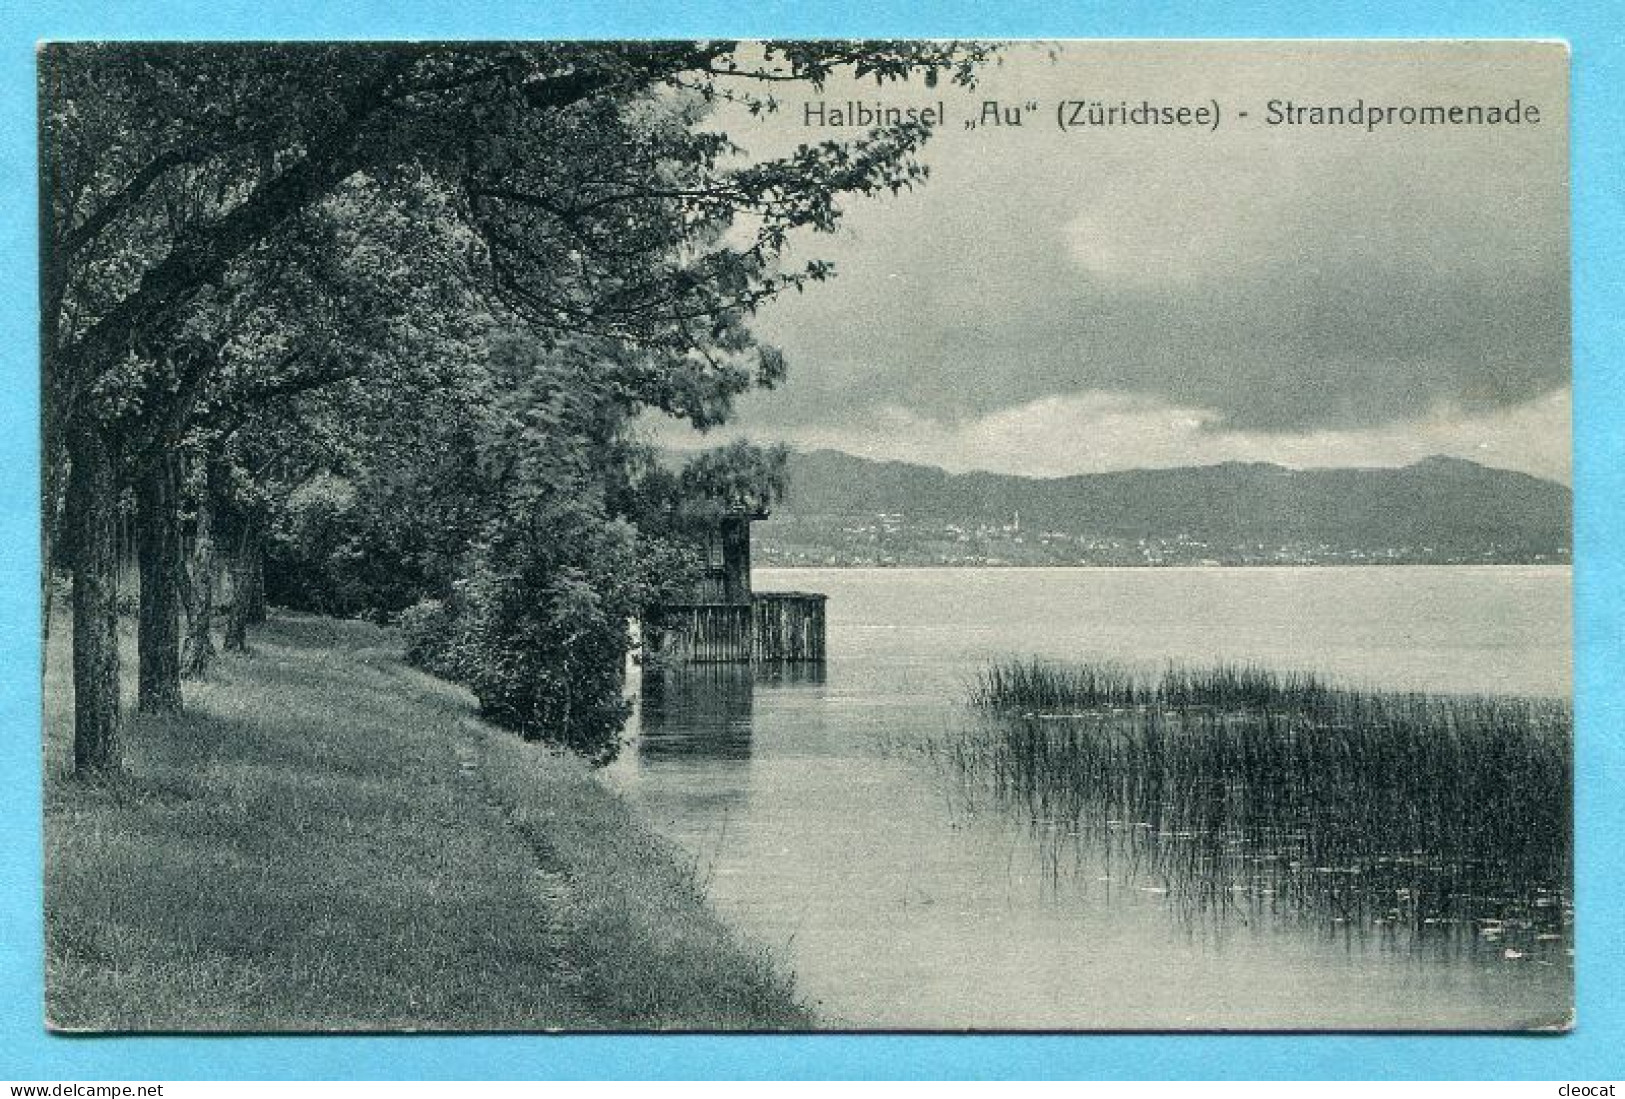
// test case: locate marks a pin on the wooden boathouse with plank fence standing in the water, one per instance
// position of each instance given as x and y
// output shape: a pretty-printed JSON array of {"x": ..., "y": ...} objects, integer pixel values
[{"x": 727, "y": 622}]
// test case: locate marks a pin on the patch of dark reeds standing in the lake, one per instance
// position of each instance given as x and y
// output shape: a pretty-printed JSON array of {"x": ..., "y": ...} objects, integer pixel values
[{"x": 1444, "y": 819}]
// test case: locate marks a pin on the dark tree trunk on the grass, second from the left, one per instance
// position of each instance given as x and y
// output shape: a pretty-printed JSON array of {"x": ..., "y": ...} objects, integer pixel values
[{"x": 158, "y": 632}]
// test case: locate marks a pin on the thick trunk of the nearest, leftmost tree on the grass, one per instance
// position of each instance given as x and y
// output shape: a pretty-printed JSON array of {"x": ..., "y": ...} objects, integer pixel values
[{"x": 93, "y": 516}]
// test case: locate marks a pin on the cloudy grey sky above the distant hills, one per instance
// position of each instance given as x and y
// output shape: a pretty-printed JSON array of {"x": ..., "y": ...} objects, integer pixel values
[{"x": 1059, "y": 303}]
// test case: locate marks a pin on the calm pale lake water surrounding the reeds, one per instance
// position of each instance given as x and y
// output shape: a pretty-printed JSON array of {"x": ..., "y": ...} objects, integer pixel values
[{"x": 899, "y": 906}]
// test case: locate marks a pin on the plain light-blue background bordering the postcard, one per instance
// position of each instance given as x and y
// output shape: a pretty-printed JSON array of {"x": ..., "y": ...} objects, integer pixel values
[{"x": 1598, "y": 37}]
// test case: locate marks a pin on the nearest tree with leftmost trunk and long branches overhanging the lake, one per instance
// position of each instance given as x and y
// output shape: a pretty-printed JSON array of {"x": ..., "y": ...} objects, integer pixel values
[{"x": 175, "y": 178}]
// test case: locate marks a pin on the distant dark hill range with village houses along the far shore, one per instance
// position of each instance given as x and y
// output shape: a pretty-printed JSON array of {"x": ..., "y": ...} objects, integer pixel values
[{"x": 844, "y": 510}]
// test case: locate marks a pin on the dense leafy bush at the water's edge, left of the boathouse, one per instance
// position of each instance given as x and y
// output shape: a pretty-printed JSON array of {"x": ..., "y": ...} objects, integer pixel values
[{"x": 537, "y": 627}]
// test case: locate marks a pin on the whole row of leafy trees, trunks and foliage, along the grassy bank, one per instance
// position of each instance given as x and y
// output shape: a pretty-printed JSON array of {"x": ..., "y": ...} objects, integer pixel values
[{"x": 373, "y": 324}]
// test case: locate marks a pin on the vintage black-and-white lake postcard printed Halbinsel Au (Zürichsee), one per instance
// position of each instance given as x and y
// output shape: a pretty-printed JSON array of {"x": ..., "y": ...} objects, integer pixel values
[{"x": 805, "y": 536}]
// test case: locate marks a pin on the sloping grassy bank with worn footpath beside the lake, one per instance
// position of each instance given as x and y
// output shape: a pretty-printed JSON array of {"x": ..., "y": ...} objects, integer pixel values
[{"x": 331, "y": 840}]
